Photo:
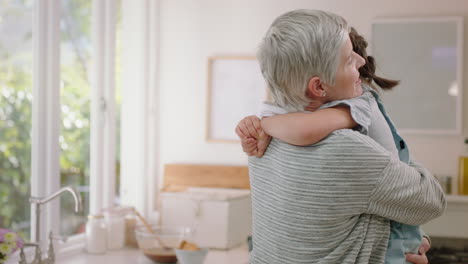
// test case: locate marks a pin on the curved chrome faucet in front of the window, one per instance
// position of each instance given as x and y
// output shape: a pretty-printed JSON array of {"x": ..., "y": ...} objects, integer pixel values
[{"x": 38, "y": 201}]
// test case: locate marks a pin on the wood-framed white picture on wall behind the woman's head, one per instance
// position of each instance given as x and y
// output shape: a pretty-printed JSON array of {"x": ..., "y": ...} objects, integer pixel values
[{"x": 236, "y": 89}]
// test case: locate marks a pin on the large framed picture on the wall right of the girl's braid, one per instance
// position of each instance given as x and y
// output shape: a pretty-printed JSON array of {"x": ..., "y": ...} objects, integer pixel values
[{"x": 426, "y": 54}]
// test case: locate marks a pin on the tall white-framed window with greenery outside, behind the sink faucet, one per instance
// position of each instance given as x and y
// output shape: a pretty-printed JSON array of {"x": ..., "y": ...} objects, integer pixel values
[{"x": 44, "y": 144}]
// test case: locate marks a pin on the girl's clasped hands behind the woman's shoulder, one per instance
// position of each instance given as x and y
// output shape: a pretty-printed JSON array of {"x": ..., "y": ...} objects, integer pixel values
[{"x": 253, "y": 139}]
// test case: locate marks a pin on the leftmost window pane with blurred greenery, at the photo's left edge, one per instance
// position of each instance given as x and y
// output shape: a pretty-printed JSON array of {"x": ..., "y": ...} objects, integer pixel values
[{"x": 15, "y": 113}]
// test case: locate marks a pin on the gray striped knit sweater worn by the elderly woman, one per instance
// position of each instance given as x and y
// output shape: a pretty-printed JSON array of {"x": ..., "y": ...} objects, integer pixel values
[{"x": 331, "y": 202}]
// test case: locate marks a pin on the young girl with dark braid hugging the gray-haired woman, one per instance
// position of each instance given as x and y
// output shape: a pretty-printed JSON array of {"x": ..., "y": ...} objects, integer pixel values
[{"x": 364, "y": 113}]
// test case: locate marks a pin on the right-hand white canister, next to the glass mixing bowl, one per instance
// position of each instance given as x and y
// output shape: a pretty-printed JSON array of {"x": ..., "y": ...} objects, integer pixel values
[{"x": 115, "y": 221}]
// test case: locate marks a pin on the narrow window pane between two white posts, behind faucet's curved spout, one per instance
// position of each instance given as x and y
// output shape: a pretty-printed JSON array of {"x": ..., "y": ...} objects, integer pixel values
[{"x": 75, "y": 105}]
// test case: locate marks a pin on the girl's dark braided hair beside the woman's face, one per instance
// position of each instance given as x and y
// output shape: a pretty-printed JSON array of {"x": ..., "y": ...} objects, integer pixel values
[{"x": 367, "y": 71}]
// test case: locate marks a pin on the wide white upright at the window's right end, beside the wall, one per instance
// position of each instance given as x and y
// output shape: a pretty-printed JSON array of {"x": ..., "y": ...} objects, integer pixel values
[{"x": 140, "y": 113}]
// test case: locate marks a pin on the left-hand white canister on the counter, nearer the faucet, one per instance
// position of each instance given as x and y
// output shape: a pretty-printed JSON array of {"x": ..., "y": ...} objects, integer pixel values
[{"x": 96, "y": 234}]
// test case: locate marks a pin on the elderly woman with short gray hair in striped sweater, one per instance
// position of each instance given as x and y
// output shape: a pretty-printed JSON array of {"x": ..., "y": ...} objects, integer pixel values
[{"x": 330, "y": 202}]
